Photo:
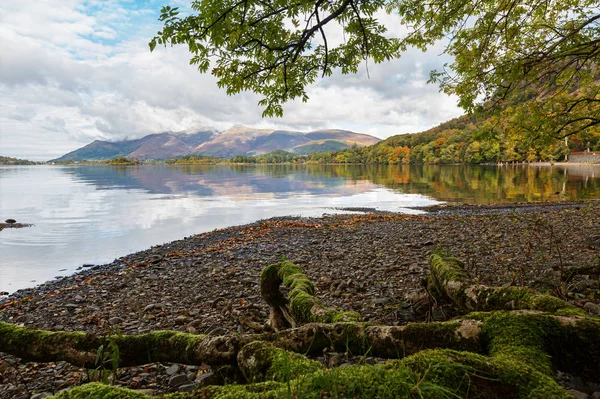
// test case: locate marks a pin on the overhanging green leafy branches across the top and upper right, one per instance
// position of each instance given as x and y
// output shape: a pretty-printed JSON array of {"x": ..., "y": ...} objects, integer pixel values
[{"x": 539, "y": 54}]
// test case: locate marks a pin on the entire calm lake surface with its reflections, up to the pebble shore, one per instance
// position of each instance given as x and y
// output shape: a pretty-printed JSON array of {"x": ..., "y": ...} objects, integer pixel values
[{"x": 95, "y": 214}]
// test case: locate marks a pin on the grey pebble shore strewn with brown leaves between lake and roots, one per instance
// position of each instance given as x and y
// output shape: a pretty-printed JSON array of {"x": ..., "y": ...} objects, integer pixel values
[{"x": 370, "y": 263}]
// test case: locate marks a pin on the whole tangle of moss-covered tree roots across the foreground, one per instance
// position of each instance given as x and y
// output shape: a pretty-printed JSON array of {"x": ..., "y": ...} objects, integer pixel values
[{"x": 508, "y": 345}]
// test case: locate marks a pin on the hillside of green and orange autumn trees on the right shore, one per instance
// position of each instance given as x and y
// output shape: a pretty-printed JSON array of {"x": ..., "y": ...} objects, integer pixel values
[{"x": 466, "y": 139}]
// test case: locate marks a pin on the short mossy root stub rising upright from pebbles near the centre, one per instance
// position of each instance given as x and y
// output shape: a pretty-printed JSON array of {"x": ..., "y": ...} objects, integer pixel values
[{"x": 301, "y": 305}]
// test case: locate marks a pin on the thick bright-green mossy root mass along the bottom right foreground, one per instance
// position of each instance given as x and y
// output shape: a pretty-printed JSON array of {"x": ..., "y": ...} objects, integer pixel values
[{"x": 521, "y": 351}]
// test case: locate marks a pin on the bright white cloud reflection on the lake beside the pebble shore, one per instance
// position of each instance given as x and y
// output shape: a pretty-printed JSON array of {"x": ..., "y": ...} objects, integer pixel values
[{"x": 81, "y": 219}]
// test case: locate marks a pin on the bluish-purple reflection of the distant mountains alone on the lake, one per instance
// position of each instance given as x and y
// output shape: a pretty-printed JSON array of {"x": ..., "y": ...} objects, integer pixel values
[{"x": 219, "y": 180}]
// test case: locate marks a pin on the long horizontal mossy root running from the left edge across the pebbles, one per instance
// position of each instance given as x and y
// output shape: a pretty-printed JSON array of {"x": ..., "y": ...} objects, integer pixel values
[{"x": 169, "y": 346}]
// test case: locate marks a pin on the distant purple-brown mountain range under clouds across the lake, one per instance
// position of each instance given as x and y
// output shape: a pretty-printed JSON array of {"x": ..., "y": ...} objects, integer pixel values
[{"x": 239, "y": 140}]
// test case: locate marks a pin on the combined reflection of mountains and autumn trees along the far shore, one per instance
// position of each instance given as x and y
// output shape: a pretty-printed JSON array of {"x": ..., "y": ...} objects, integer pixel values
[{"x": 461, "y": 183}]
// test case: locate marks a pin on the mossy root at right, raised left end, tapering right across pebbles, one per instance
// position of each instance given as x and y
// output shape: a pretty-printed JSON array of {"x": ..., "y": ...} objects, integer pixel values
[{"x": 448, "y": 281}]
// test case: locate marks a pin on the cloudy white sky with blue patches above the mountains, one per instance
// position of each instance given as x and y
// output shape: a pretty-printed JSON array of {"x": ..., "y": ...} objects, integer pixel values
[{"x": 74, "y": 71}]
